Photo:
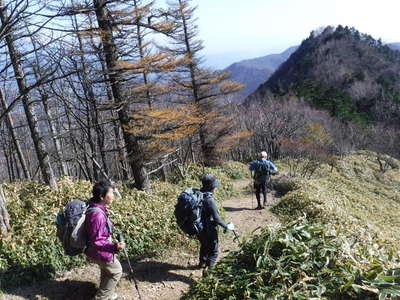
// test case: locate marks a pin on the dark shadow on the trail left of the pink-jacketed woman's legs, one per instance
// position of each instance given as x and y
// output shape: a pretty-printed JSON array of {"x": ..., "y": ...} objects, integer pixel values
[{"x": 58, "y": 290}]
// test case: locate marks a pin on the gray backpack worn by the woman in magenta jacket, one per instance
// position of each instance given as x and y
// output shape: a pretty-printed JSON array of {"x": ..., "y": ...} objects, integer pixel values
[{"x": 71, "y": 226}]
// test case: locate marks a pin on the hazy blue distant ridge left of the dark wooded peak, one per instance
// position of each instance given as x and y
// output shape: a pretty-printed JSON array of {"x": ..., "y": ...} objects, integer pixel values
[{"x": 255, "y": 71}]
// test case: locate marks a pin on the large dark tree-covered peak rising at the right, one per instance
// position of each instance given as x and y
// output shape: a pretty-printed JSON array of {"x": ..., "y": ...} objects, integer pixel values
[{"x": 350, "y": 74}]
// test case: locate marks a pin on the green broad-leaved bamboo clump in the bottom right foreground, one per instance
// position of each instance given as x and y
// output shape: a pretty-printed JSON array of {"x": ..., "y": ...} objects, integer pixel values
[{"x": 300, "y": 260}]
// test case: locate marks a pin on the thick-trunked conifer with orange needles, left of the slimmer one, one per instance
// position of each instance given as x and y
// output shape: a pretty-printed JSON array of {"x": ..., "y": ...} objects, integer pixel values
[{"x": 121, "y": 28}]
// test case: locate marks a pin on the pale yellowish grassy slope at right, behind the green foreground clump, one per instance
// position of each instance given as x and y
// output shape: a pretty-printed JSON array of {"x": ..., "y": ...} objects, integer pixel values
[{"x": 354, "y": 195}]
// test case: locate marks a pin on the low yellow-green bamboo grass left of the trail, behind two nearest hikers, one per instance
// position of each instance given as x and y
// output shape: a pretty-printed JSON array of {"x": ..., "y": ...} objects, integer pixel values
[{"x": 32, "y": 252}]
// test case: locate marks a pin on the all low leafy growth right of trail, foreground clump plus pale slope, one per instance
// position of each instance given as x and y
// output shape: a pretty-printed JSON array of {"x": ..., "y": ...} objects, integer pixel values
[{"x": 354, "y": 257}]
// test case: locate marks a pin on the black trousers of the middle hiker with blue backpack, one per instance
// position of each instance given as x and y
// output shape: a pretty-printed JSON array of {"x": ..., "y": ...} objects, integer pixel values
[{"x": 208, "y": 246}]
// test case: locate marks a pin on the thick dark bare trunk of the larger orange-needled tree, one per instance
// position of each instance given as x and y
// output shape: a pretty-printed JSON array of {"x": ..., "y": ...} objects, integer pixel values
[{"x": 135, "y": 153}]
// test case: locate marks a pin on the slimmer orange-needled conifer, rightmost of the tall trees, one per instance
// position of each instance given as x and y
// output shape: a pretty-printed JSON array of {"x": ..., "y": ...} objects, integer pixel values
[{"x": 198, "y": 85}]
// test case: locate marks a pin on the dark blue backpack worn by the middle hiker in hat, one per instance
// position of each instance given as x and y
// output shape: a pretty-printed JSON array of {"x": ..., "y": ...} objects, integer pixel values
[{"x": 188, "y": 211}]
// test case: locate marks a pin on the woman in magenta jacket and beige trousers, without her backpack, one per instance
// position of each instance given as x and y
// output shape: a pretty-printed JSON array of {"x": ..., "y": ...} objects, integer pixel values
[{"x": 101, "y": 249}]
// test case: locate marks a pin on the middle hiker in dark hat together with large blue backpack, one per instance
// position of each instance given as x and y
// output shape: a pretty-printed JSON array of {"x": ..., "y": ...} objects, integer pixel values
[{"x": 197, "y": 215}]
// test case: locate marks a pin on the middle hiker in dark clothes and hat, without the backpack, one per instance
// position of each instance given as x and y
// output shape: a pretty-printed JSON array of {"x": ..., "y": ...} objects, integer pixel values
[{"x": 209, "y": 236}]
